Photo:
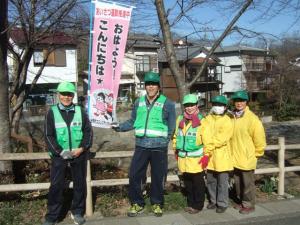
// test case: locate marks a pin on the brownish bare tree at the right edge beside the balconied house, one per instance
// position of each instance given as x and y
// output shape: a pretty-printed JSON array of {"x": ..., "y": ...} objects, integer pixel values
[{"x": 285, "y": 83}]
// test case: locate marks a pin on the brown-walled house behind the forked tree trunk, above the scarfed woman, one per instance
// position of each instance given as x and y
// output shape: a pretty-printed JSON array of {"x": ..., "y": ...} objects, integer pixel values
[{"x": 190, "y": 59}]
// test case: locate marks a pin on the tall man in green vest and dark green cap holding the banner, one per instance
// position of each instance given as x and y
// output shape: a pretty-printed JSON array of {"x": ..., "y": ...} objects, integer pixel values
[{"x": 153, "y": 118}]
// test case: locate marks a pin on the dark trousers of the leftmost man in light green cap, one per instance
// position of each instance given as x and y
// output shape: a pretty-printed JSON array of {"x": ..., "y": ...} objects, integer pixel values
[{"x": 57, "y": 180}]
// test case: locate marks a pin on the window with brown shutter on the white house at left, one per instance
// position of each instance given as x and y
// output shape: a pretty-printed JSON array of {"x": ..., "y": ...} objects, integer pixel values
[{"x": 55, "y": 58}]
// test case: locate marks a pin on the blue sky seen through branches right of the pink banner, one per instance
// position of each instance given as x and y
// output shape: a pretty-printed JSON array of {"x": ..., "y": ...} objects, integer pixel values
[{"x": 216, "y": 17}]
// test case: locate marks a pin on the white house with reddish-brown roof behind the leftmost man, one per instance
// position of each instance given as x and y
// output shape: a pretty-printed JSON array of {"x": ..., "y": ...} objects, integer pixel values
[{"x": 61, "y": 66}]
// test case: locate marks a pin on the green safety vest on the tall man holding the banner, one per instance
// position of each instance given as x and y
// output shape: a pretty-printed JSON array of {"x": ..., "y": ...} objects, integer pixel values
[{"x": 149, "y": 123}]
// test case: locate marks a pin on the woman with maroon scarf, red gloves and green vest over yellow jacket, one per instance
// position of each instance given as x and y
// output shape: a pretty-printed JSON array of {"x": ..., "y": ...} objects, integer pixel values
[{"x": 188, "y": 146}]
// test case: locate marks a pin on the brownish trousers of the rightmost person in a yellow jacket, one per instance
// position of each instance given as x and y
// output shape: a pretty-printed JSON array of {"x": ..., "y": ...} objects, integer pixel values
[{"x": 245, "y": 186}]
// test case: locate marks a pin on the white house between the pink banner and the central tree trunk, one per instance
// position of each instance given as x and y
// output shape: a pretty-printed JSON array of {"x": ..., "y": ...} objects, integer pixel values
[{"x": 140, "y": 57}]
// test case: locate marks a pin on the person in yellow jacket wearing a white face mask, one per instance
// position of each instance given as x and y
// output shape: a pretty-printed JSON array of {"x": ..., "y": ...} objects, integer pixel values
[{"x": 218, "y": 129}]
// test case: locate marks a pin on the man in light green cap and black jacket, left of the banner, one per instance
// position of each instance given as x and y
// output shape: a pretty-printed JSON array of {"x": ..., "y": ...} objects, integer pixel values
[{"x": 68, "y": 136}]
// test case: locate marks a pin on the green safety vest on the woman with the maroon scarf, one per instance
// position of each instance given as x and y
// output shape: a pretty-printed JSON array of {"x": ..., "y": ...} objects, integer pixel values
[{"x": 186, "y": 144}]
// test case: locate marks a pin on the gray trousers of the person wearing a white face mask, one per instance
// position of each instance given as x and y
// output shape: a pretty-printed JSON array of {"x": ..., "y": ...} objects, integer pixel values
[{"x": 217, "y": 185}]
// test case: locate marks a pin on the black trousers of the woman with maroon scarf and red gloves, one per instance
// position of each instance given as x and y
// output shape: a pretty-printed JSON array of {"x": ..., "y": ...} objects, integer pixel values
[{"x": 195, "y": 189}]
